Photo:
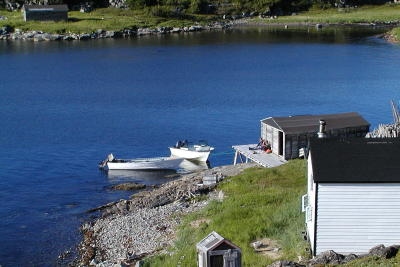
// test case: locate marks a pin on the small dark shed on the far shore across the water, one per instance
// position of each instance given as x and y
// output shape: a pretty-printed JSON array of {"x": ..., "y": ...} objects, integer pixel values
[{"x": 45, "y": 12}]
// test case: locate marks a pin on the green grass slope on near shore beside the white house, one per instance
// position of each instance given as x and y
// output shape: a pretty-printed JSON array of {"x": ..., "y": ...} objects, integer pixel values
[{"x": 259, "y": 203}]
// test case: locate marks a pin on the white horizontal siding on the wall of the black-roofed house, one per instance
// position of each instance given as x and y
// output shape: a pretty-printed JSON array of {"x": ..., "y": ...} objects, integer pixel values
[{"x": 353, "y": 218}]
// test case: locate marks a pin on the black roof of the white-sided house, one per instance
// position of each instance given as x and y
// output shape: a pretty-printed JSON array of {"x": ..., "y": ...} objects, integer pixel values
[{"x": 359, "y": 160}]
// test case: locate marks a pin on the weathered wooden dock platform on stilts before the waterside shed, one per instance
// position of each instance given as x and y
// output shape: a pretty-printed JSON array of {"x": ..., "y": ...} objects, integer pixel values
[{"x": 257, "y": 156}]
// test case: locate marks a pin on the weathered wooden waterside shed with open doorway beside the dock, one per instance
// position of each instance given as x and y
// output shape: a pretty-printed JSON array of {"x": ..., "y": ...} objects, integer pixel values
[{"x": 287, "y": 135}]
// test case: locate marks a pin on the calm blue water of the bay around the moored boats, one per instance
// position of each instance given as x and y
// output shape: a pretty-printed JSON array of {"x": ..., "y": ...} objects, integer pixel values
[{"x": 66, "y": 105}]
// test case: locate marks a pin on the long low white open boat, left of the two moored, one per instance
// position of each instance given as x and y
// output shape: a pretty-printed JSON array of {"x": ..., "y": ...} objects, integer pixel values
[{"x": 159, "y": 163}]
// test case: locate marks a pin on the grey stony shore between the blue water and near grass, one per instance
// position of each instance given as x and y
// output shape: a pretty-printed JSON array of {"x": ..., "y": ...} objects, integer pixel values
[{"x": 129, "y": 230}]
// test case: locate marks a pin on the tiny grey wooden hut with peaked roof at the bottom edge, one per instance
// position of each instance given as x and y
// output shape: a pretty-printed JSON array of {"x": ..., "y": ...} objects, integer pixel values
[{"x": 216, "y": 251}]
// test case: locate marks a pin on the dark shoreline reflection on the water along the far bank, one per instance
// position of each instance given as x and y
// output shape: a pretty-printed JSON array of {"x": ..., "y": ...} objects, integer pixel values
[{"x": 244, "y": 34}]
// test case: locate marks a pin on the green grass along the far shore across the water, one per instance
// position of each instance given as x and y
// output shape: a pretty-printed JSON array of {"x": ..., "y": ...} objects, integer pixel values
[{"x": 118, "y": 19}]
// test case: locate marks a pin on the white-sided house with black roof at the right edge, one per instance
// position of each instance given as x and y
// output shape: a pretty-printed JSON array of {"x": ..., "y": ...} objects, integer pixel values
[{"x": 353, "y": 194}]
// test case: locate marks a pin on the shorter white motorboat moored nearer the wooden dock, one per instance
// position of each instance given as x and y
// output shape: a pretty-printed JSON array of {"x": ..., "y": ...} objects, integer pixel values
[{"x": 194, "y": 152}]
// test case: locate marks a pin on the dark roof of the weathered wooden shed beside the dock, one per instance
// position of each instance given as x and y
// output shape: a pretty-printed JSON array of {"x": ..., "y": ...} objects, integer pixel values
[{"x": 310, "y": 123}]
